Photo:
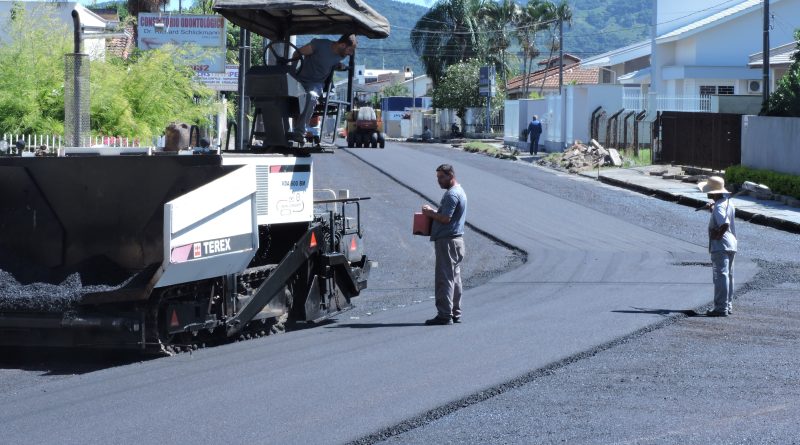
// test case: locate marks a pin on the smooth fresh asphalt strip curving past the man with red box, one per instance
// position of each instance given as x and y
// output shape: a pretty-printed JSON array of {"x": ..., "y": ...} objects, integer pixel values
[{"x": 343, "y": 381}]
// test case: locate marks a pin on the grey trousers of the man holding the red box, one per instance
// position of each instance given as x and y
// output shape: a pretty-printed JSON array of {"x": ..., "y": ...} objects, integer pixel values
[{"x": 449, "y": 254}]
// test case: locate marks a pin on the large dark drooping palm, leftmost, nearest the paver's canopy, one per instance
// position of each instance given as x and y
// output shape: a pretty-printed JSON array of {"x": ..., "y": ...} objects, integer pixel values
[{"x": 448, "y": 33}]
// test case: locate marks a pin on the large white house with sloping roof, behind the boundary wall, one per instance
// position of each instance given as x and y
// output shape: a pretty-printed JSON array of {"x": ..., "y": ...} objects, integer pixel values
[{"x": 702, "y": 53}]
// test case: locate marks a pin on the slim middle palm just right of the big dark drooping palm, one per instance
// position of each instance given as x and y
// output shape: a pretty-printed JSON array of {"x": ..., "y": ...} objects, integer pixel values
[{"x": 497, "y": 18}]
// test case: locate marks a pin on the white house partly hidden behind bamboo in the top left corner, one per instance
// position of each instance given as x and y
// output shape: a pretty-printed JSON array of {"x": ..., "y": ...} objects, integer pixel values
[{"x": 45, "y": 12}]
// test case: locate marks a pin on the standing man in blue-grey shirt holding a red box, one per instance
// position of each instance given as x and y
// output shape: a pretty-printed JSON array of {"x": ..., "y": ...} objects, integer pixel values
[{"x": 447, "y": 233}]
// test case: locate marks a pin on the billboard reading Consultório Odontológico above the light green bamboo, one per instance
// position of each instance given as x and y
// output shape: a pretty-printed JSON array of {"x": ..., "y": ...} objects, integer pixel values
[{"x": 204, "y": 31}]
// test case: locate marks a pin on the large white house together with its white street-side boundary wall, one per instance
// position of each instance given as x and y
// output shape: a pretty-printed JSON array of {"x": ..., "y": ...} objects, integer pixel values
[{"x": 699, "y": 57}]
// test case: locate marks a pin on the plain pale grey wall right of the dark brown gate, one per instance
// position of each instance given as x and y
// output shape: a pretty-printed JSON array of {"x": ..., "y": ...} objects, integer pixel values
[{"x": 770, "y": 143}]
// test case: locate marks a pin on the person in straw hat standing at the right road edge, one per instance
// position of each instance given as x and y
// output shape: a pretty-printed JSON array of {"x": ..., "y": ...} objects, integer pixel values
[{"x": 722, "y": 244}]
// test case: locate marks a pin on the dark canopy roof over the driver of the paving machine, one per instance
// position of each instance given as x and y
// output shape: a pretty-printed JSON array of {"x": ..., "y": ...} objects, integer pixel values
[{"x": 276, "y": 20}]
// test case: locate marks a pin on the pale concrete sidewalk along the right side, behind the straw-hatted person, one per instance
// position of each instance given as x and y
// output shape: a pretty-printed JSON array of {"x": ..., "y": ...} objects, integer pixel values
[{"x": 764, "y": 212}]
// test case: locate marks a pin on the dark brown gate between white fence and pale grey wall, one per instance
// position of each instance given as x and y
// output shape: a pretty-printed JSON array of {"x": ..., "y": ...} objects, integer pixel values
[{"x": 710, "y": 140}]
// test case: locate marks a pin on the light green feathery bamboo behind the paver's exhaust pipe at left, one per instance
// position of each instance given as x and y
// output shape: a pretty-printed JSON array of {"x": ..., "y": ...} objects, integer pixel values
[{"x": 135, "y": 98}]
